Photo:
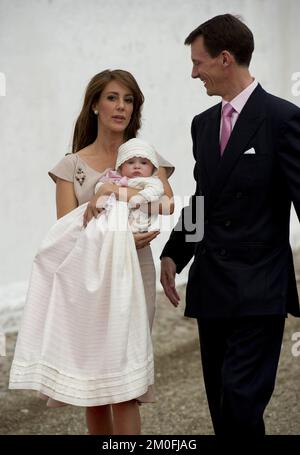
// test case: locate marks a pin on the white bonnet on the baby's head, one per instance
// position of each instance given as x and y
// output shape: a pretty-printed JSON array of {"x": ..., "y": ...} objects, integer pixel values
[{"x": 137, "y": 147}]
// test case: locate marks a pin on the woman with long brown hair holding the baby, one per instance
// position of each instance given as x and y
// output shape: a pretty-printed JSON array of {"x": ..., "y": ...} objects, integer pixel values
[{"x": 110, "y": 116}]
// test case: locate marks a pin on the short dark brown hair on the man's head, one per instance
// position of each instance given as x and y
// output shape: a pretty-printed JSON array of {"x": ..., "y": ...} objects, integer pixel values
[{"x": 225, "y": 32}]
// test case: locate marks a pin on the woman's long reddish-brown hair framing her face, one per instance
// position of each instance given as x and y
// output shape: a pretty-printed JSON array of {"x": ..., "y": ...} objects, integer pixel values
[{"x": 85, "y": 131}]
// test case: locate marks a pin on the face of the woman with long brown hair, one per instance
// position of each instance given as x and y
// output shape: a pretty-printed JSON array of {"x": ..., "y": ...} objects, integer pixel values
[{"x": 115, "y": 107}]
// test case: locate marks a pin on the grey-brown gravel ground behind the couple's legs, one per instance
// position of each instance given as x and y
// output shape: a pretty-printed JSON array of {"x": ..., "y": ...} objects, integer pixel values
[{"x": 181, "y": 407}]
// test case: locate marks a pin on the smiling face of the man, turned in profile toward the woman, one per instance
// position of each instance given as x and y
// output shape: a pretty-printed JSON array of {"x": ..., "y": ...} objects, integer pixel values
[{"x": 209, "y": 69}]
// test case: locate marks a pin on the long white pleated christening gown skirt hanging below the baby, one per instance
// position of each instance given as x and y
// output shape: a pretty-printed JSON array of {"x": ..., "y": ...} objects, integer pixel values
[{"x": 85, "y": 334}]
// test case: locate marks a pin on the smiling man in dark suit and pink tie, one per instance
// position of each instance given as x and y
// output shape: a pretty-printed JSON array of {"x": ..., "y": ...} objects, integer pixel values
[{"x": 241, "y": 284}]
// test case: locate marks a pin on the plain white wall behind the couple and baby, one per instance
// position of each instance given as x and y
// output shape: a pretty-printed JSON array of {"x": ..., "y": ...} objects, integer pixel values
[{"x": 50, "y": 49}]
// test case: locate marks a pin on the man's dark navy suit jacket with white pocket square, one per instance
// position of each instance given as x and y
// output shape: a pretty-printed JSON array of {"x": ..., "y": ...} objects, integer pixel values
[{"x": 243, "y": 265}]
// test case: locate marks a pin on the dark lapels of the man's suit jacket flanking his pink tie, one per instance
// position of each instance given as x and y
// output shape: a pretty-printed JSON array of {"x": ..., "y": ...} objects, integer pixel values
[{"x": 247, "y": 124}]
